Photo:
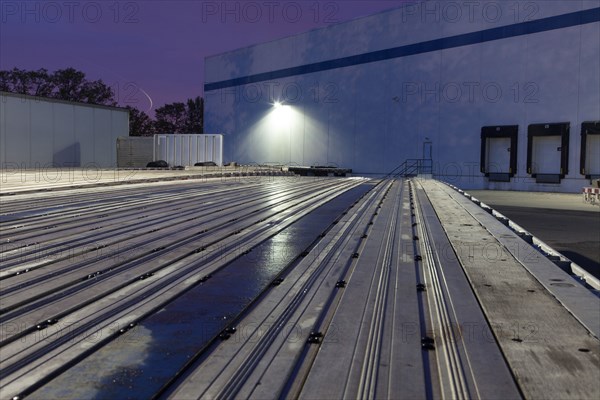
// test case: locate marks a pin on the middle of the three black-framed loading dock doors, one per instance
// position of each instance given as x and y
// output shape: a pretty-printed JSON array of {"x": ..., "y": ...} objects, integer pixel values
[{"x": 548, "y": 152}]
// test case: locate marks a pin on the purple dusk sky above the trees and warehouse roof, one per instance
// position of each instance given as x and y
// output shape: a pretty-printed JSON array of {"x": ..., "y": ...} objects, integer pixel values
[{"x": 154, "y": 49}]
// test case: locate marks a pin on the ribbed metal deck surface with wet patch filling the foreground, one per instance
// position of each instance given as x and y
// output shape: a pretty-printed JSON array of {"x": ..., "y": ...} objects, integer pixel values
[{"x": 283, "y": 287}]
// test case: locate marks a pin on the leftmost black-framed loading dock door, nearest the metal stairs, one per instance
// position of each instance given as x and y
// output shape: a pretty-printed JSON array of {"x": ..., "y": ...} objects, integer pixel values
[{"x": 499, "y": 152}]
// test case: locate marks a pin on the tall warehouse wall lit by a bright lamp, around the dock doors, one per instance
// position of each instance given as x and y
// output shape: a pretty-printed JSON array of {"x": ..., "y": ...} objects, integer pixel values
[{"x": 371, "y": 116}]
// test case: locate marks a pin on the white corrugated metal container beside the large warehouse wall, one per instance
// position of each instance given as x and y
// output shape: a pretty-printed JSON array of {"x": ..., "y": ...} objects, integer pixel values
[{"x": 187, "y": 150}]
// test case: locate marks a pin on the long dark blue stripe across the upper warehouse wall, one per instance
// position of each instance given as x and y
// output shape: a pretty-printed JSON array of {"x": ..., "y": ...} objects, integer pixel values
[{"x": 488, "y": 35}]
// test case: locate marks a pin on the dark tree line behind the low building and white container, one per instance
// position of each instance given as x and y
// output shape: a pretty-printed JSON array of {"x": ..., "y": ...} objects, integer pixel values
[{"x": 72, "y": 85}]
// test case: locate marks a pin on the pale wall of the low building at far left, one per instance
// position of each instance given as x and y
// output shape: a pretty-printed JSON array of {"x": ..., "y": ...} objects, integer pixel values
[{"x": 42, "y": 133}]
